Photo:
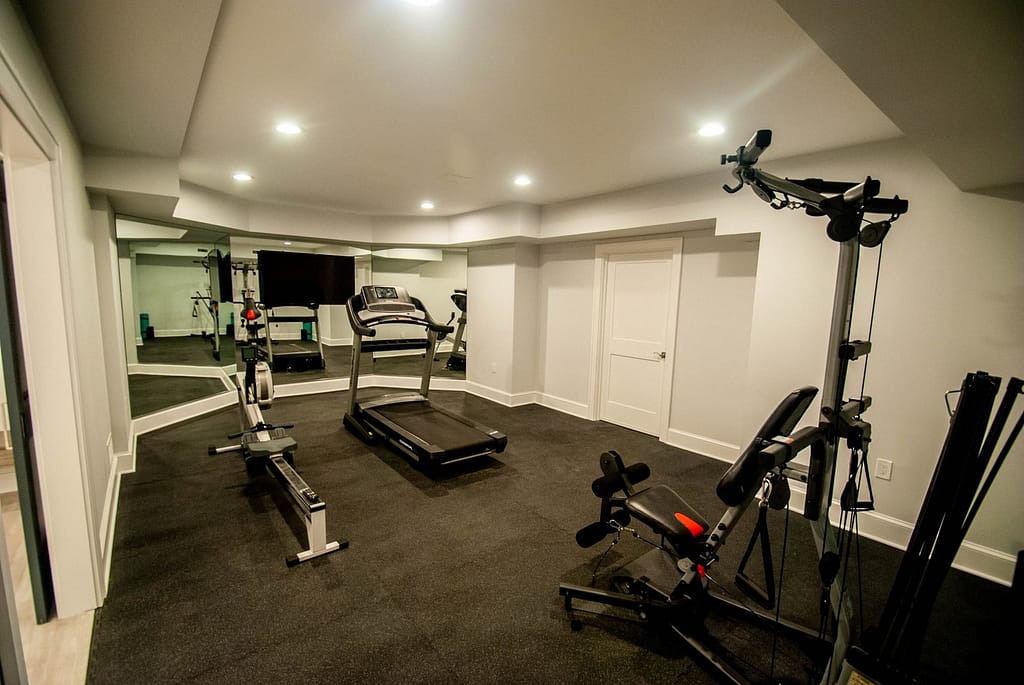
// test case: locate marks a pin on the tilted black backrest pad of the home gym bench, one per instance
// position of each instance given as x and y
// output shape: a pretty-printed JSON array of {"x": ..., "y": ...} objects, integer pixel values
[{"x": 745, "y": 477}]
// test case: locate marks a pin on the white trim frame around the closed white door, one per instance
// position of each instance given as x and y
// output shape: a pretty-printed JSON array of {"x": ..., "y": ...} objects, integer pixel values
[{"x": 603, "y": 254}]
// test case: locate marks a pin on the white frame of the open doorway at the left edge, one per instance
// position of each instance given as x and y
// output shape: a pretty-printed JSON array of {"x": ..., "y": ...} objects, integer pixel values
[{"x": 37, "y": 228}]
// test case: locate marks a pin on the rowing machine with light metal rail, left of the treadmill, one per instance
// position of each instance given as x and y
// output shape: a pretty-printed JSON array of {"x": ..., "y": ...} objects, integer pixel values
[{"x": 267, "y": 447}]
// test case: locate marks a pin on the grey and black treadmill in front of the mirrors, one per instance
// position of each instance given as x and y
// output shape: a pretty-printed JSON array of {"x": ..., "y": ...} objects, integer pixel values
[{"x": 420, "y": 431}]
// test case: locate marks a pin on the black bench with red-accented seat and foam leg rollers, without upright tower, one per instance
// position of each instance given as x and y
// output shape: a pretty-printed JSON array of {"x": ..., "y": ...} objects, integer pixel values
[{"x": 671, "y": 580}]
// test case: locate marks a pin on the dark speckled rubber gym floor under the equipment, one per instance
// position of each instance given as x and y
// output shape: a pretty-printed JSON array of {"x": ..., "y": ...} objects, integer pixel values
[{"x": 449, "y": 580}]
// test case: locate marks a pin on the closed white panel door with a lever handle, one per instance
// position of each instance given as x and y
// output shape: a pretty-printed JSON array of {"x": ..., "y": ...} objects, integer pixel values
[{"x": 641, "y": 301}]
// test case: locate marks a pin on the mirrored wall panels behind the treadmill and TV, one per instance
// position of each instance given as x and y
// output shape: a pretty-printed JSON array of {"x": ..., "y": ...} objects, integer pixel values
[{"x": 183, "y": 328}]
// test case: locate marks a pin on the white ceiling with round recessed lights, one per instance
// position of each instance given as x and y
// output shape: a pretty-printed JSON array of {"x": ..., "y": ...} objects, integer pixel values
[{"x": 403, "y": 104}]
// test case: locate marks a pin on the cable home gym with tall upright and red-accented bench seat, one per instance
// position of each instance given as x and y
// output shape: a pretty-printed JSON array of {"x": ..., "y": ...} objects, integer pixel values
[{"x": 767, "y": 463}]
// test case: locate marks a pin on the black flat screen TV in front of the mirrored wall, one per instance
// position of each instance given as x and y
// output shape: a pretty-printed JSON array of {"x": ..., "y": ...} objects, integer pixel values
[{"x": 300, "y": 279}]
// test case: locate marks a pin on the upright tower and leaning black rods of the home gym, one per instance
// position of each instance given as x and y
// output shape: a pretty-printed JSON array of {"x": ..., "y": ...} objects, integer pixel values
[{"x": 962, "y": 477}]
